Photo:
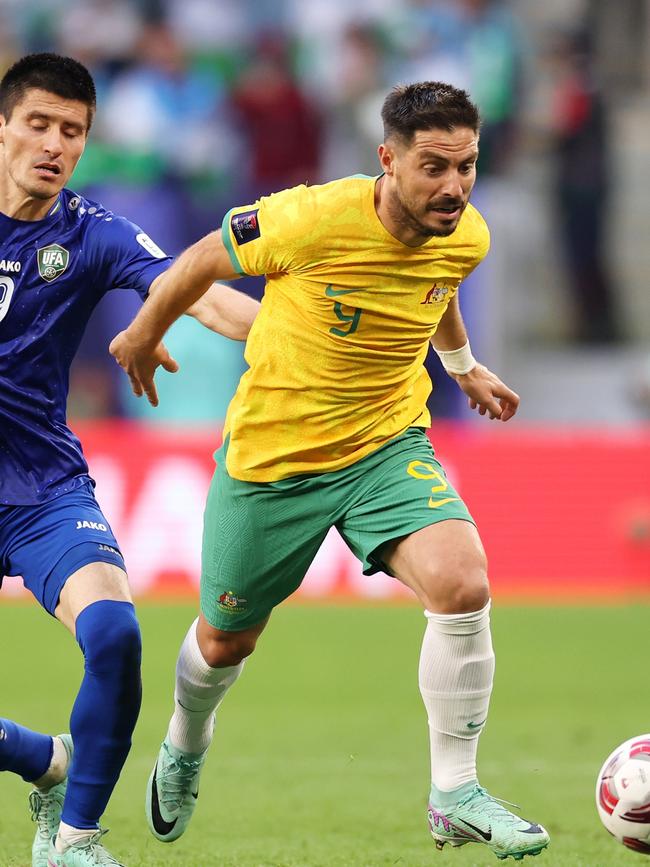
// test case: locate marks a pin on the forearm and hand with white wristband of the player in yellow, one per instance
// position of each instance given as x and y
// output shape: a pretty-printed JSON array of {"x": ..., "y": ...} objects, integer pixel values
[{"x": 485, "y": 391}]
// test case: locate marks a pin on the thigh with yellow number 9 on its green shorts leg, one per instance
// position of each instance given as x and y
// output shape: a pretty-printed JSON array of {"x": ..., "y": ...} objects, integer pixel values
[{"x": 405, "y": 491}]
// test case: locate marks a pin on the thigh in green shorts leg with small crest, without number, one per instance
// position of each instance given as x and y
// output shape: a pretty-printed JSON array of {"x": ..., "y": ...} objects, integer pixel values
[{"x": 258, "y": 542}]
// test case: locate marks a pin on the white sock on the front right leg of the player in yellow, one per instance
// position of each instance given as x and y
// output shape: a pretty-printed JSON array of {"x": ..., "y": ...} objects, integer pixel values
[{"x": 455, "y": 676}]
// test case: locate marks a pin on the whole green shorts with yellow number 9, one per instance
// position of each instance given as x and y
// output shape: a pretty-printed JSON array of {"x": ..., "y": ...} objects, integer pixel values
[{"x": 260, "y": 538}]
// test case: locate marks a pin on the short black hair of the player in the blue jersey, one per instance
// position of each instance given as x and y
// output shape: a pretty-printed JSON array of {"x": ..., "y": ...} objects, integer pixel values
[{"x": 63, "y": 76}]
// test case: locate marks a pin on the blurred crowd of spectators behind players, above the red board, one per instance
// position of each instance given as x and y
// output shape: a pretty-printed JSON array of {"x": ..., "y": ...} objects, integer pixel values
[{"x": 204, "y": 104}]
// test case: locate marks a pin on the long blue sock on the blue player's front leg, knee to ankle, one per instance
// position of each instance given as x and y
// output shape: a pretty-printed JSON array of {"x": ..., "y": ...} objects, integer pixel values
[{"x": 106, "y": 708}]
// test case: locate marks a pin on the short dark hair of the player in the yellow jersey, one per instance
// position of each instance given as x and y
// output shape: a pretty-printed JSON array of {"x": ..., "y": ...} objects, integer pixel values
[{"x": 427, "y": 105}]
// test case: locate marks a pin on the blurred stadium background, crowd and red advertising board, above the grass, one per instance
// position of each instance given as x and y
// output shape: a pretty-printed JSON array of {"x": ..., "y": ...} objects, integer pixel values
[{"x": 203, "y": 105}]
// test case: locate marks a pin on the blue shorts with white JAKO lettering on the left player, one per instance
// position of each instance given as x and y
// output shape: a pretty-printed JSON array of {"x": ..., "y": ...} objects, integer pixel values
[{"x": 47, "y": 543}]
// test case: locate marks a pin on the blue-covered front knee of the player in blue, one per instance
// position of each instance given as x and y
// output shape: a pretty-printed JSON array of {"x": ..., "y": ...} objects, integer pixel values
[{"x": 109, "y": 636}]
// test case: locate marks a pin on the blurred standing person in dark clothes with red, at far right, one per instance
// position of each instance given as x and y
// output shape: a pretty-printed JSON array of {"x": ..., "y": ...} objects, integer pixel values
[{"x": 581, "y": 201}]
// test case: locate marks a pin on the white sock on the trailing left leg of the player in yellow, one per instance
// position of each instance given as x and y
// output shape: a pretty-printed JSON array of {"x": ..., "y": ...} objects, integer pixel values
[{"x": 199, "y": 692}]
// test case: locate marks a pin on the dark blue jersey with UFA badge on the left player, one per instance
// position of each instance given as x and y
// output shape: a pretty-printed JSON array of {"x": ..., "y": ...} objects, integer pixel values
[{"x": 53, "y": 272}]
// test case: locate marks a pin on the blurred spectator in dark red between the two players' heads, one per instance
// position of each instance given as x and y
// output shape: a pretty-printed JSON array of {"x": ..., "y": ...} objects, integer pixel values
[{"x": 280, "y": 125}]
